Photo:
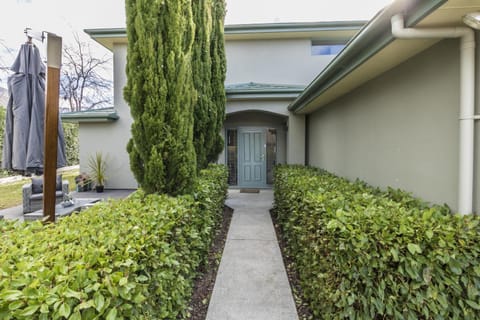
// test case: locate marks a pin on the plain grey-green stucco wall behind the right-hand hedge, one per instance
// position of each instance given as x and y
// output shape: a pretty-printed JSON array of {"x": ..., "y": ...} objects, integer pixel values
[{"x": 399, "y": 130}]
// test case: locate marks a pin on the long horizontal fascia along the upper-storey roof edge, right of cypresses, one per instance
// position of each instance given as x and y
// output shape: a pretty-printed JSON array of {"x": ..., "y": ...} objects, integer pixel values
[{"x": 293, "y": 27}]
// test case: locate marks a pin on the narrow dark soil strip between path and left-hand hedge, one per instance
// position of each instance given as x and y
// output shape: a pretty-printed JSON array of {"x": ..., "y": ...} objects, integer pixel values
[{"x": 203, "y": 287}]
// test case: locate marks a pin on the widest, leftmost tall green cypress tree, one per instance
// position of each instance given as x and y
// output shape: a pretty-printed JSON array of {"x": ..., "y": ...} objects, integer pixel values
[{"x": 161, "y": 94}]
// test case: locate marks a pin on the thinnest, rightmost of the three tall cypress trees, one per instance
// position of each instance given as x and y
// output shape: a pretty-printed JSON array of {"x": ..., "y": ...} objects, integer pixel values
[{"x": 218, "y": 71}]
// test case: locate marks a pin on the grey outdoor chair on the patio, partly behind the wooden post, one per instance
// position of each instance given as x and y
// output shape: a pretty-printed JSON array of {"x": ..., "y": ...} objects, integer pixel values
[{"x": 33, "y": 193}]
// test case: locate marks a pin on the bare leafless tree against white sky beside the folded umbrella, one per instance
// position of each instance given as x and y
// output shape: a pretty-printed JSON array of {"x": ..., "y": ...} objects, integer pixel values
[{"x": 82, "y": 85}]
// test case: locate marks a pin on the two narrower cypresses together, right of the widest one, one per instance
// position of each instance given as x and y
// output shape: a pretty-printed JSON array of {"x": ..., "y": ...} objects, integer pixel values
[{"x": 208, "y": 63}]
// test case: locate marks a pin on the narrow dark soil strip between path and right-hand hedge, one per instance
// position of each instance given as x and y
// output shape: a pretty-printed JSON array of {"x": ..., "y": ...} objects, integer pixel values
[{"x": 304, "y": 312}]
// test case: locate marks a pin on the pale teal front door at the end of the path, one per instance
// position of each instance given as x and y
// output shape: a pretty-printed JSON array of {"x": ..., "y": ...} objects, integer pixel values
[{"x": 251, "y": 158}]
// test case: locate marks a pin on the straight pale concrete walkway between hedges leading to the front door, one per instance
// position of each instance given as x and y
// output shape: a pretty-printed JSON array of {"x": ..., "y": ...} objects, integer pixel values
[{"x": 251, "y": 283}]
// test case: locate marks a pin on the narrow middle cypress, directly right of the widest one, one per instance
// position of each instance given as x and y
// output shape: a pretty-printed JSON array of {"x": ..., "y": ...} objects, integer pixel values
[{"x": 204, "y": 113}]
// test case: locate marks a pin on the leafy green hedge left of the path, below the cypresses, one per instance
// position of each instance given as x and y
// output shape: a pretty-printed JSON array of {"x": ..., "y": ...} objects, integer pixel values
[{"x": 129, "y": 259}]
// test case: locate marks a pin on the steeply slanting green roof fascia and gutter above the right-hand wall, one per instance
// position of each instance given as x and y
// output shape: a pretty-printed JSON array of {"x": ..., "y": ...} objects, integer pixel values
[{"x": 372, "y": 38}]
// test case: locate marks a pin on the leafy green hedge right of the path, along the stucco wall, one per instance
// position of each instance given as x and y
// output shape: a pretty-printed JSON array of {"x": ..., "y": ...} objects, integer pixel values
[{"x": 366, "y": 254}]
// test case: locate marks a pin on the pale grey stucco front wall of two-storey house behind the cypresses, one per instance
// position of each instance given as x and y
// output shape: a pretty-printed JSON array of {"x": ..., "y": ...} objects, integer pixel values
[{"x": 267, "y": 61}]
